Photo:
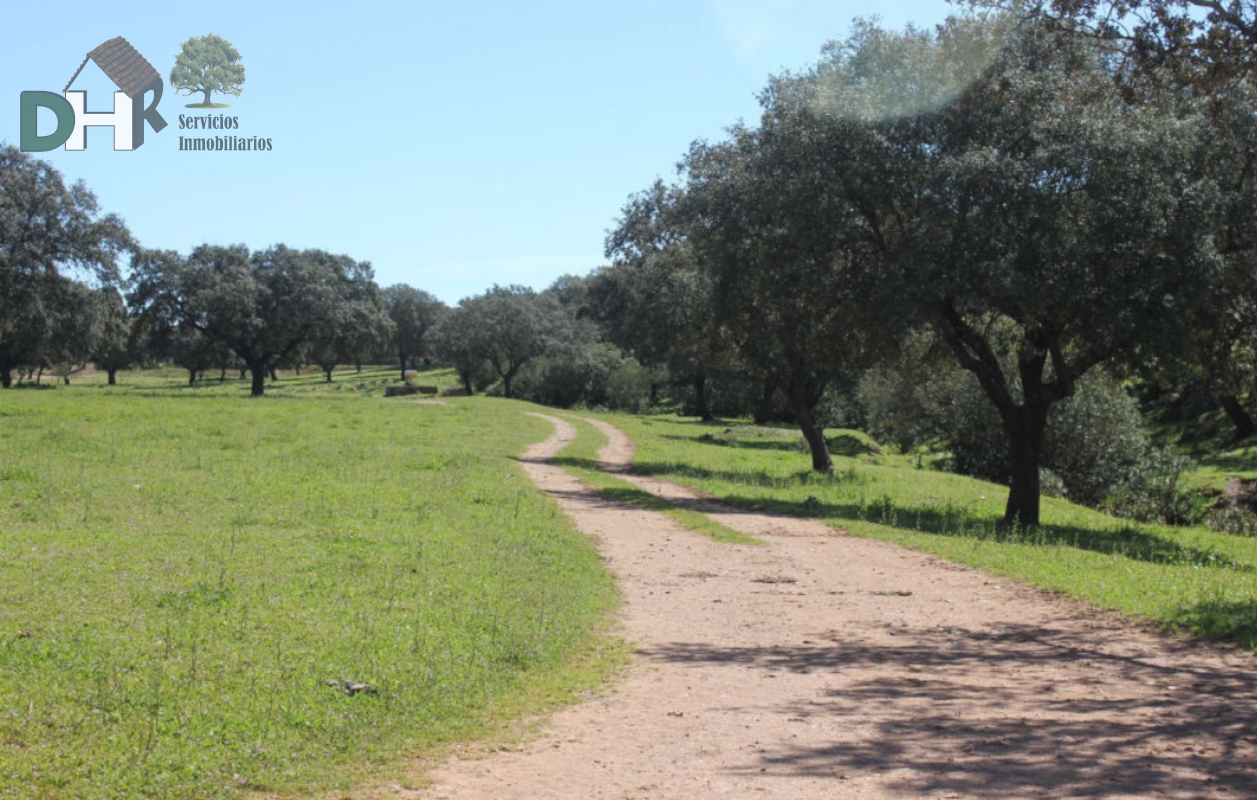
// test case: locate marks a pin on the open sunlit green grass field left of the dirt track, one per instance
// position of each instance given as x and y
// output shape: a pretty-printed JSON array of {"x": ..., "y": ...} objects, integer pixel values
[{"x": 183, "y": 572}]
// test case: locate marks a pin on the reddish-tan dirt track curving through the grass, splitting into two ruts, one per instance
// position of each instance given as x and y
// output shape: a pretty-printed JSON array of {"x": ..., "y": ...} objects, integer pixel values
[{"x": 829, "y": 666}]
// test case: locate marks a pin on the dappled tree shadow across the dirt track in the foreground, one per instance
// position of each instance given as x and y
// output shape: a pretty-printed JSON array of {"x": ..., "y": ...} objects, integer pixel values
[{"x": 1092, "y": 736}]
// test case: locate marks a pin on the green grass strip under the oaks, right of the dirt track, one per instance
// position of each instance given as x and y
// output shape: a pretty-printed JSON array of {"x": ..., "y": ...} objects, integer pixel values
[{"x": 1188, "y": 579}]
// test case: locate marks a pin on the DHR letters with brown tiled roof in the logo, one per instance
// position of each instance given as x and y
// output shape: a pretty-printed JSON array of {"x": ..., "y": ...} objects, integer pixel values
[{"x": 130, "y": 72}]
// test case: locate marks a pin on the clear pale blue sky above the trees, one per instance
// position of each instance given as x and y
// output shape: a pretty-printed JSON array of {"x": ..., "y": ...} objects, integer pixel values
[{"x": 454, "y": 147}]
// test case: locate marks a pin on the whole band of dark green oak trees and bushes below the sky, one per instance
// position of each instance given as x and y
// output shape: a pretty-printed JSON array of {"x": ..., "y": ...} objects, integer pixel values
[{"x": 976, "y": 237}]
